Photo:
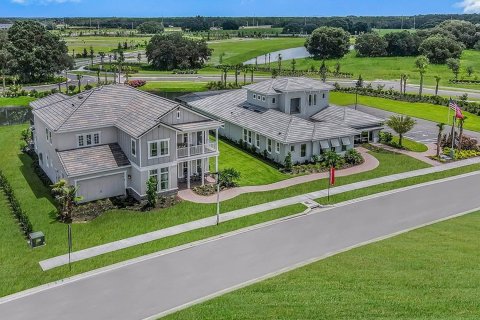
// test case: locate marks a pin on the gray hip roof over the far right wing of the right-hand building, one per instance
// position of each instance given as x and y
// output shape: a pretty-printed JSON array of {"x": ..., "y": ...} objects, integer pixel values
[{"x": 347, "y": 116}]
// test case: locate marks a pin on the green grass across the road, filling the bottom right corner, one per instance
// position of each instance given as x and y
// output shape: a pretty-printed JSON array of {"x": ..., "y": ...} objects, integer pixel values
[{"x": 429, "y": 273}]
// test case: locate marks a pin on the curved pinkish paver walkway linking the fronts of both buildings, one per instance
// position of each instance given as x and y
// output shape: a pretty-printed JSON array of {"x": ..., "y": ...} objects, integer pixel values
[{"x": 370, "y": 163}]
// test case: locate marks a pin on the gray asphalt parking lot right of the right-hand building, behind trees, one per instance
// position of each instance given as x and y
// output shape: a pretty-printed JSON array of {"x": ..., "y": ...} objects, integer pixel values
[{"x": 424, "y": 131}]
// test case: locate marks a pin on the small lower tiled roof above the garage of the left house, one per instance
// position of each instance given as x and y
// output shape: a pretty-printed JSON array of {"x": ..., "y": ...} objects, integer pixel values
[{"x": 83, "y": 161}]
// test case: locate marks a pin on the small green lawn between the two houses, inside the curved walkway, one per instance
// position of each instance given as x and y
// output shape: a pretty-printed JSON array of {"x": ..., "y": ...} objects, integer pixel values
[{"x": 253, "y": 171}]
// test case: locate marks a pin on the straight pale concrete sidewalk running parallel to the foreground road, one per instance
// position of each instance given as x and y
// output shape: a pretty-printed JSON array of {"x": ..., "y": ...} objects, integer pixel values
[{"x": 210, "y": 221}]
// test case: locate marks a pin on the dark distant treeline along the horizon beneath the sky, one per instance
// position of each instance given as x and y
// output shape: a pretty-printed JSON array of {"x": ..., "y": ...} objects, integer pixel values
[{"x": 290, "y": 24}]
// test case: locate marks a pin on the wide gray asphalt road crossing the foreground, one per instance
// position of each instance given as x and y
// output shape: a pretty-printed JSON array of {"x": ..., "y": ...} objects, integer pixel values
[{"x": 156, "y": 285}]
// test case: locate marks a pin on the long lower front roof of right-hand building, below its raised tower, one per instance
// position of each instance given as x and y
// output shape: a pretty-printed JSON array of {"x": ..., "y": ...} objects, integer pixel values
[{"x": 232, "y": 107}]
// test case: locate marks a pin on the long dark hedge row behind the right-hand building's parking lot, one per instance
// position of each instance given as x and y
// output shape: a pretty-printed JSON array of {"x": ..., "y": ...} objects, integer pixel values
[{"x": 472, "y": 107}]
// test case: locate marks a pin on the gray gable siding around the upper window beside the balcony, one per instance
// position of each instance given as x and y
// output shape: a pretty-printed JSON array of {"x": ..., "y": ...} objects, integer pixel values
[{"x": 159, "y": 133}]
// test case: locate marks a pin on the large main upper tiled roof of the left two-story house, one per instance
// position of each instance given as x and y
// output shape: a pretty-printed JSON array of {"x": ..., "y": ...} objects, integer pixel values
[{"x": 130, "y": 110}]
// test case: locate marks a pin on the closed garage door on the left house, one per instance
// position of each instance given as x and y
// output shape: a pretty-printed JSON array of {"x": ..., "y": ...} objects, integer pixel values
[{"x": 101, "y": 187}]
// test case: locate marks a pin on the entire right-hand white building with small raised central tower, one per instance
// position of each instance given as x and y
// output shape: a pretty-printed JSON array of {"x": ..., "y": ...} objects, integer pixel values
[{"x": 287, "y": 115}]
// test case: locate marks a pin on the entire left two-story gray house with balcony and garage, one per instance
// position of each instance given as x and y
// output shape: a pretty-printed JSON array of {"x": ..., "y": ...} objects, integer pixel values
[{"x": 111, "y": 139}]
